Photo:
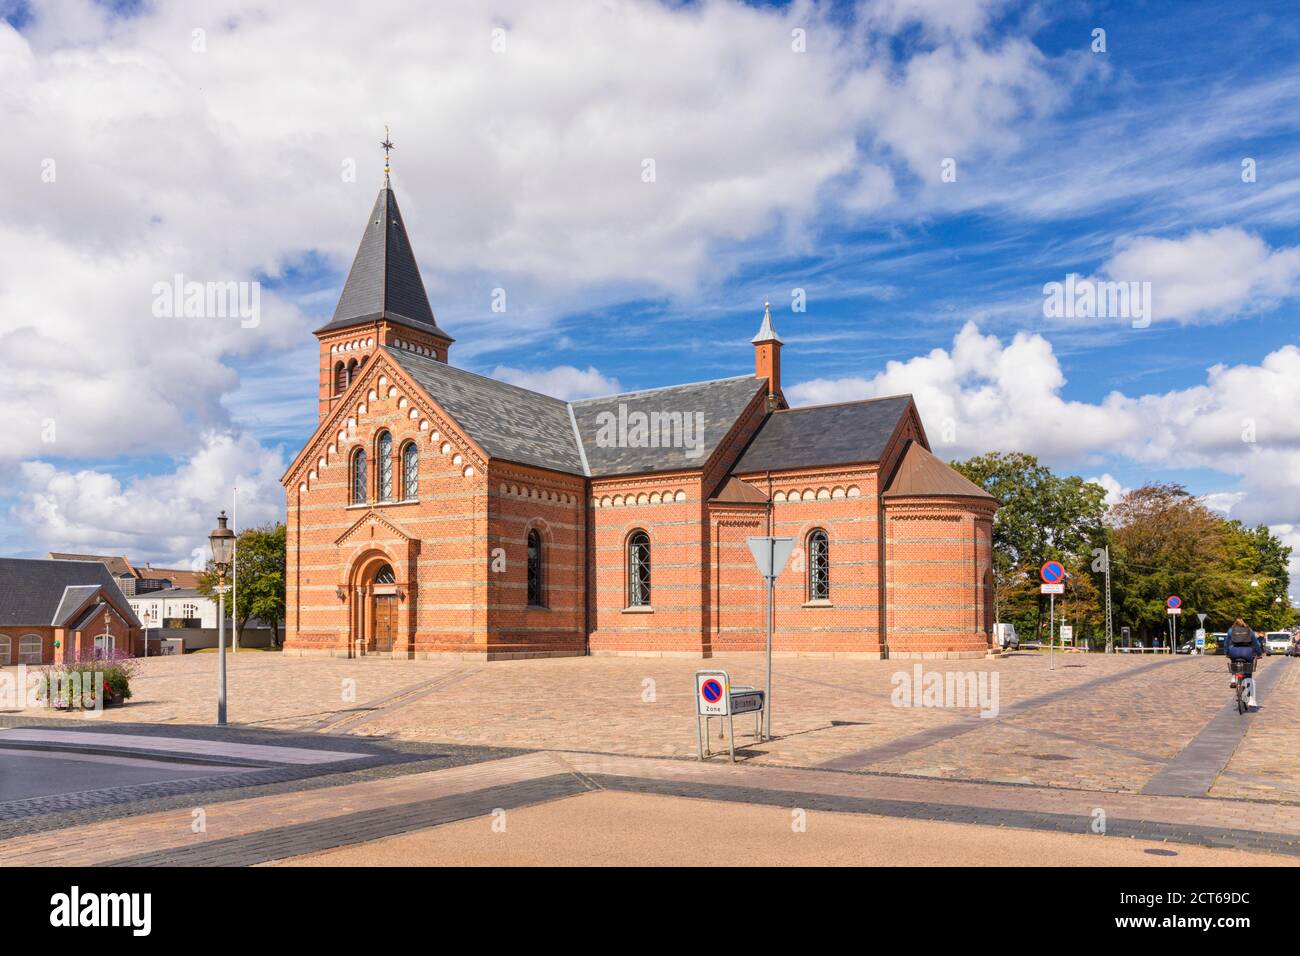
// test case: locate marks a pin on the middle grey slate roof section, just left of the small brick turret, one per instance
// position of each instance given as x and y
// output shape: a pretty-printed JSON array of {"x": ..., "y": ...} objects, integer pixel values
[{"x": 707, "y": 412}]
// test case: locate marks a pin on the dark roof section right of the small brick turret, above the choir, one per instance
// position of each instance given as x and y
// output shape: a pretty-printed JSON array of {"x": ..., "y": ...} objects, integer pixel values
[{"x": 820, "y": 435}]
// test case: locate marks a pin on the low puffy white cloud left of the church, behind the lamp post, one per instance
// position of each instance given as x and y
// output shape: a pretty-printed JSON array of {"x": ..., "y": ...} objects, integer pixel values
[{"x": 162, "y": 518}]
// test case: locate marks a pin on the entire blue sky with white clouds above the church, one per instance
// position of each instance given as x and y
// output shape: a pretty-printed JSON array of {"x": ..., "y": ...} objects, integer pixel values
[{"x": 777, "y": 171}]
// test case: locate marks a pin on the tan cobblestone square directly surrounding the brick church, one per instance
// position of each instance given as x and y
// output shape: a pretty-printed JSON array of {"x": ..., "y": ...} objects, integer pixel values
[{"x": 1095, "y": 723}]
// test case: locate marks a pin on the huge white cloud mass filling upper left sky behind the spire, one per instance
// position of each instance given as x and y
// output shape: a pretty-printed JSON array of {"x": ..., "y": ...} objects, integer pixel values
[{"x": 228, "y": 159}]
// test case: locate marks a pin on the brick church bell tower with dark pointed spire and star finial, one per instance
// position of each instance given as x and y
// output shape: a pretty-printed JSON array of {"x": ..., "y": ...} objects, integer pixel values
[{"x": 383, "y": 304}]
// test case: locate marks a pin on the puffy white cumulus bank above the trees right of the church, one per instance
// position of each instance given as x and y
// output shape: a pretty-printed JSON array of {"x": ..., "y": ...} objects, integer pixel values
[{"x": 983, "y": 395}]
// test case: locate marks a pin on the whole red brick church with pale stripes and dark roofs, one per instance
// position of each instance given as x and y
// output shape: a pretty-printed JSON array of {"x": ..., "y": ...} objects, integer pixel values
[{"x": 439, "y": 512}]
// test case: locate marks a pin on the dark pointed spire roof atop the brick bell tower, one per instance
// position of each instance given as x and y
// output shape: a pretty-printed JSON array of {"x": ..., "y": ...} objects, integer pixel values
[{"x": 384, "y": 282}]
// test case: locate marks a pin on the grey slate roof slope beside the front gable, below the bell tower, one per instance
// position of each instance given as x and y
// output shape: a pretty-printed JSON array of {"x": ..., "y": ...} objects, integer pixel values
[{"x": 506, "y": 421}]
